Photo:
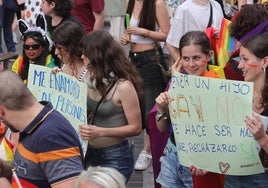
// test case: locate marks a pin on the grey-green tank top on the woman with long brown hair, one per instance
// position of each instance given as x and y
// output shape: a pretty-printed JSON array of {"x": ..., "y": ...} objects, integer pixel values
[{"x": 108, "y": 114}]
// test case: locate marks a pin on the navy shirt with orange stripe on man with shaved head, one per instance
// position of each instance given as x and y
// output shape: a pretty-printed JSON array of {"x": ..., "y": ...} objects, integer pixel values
[{"x": 49, "y": 150}]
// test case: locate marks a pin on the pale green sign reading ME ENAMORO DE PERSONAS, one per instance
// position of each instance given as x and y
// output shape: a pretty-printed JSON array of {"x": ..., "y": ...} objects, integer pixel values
[{"x": 66, "y": 93}]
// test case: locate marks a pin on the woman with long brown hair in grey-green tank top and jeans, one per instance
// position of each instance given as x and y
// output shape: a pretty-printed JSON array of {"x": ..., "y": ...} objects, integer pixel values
[{"x": 113, "y": 89}]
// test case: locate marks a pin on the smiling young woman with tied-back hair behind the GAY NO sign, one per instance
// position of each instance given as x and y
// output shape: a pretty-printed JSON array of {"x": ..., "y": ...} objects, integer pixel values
[{"x": 195, "y": 53}]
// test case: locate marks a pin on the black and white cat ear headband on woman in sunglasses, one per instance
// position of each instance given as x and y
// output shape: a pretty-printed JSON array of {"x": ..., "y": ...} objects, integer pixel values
[{"x": 41, "y": 27}]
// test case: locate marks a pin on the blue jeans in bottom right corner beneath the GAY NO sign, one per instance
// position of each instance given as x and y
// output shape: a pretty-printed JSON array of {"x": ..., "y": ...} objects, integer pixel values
[{"x": 251, "y": 181}]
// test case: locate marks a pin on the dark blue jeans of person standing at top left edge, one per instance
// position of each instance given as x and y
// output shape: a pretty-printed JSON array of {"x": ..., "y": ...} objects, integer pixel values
[{"x": 6, "y": 20}]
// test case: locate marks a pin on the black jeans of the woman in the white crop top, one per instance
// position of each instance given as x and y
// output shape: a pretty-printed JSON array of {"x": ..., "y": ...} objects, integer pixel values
[{"x": 153, "y": 83}]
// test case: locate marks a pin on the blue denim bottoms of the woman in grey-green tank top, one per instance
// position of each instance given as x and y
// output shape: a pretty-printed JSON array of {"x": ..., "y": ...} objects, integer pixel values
[{"x": 118, "y": 156}]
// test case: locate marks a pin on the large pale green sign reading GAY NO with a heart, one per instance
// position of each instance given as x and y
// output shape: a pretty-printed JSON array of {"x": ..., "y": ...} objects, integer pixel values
[{"x": 208, "y": 121}]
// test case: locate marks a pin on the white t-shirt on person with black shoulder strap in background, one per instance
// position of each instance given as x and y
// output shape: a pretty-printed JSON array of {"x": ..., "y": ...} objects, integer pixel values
[{"x": 192, "y": 17}]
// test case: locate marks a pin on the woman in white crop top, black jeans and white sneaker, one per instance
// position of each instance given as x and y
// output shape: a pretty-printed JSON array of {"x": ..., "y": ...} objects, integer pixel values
[{"x": 149, "y": 24}]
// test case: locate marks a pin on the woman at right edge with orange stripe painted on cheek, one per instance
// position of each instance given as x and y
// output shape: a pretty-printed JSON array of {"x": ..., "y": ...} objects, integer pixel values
[{"x": 253, "y": 64}]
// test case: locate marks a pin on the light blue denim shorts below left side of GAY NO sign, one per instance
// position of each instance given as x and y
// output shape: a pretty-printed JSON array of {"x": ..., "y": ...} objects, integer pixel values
[{"x": 172, "y": 174}]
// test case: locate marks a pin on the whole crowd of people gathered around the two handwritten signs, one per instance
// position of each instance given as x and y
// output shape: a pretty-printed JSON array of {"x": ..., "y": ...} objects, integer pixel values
[{"x": 124, "y": 70}]
